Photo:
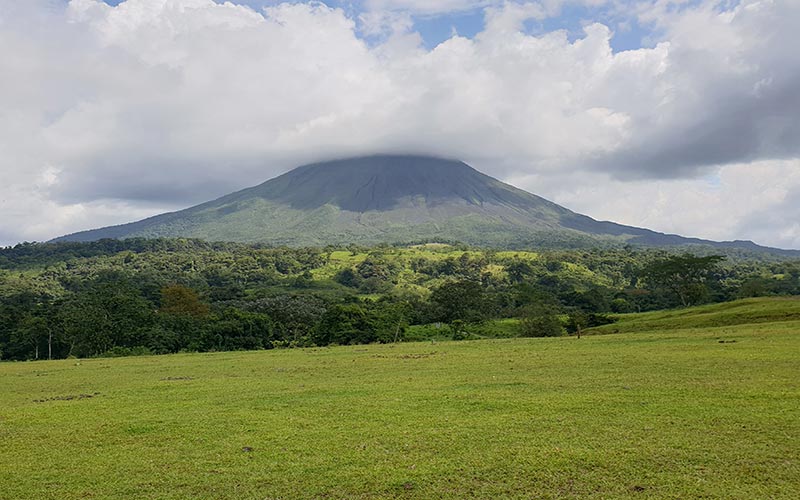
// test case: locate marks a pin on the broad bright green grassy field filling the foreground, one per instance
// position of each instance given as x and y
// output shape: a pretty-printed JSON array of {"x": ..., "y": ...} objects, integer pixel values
[{"x": 667, "y": 412}]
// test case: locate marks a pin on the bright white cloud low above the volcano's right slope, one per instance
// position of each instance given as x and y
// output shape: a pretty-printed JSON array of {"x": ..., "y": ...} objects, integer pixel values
[{"x": 747, "y": 201}]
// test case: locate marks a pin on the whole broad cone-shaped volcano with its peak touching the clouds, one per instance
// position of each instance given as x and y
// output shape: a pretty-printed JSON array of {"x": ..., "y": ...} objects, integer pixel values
[{"x": 388, "y": 199}]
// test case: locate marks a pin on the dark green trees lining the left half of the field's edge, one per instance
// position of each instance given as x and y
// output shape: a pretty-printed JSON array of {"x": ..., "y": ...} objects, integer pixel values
[{"x": 114, "y": 314}]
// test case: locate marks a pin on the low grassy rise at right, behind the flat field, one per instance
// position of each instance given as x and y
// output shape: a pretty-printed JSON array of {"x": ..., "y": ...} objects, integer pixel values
[{"x": 740, "y": 312}]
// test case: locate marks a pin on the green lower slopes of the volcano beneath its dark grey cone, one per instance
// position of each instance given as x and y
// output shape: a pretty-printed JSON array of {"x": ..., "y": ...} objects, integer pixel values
[{"x": 258, "y": 220}]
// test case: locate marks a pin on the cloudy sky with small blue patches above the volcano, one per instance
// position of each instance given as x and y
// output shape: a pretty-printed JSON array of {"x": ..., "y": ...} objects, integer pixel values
[{"x": 682, "y": 116}]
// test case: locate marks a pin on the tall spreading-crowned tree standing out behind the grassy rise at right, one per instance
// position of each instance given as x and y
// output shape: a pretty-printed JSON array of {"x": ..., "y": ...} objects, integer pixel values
[{"x": 683, "y": 275}]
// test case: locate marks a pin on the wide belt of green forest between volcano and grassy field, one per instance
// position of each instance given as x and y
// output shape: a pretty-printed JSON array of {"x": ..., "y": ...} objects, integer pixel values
[{"x": 140, "y": 296}]
